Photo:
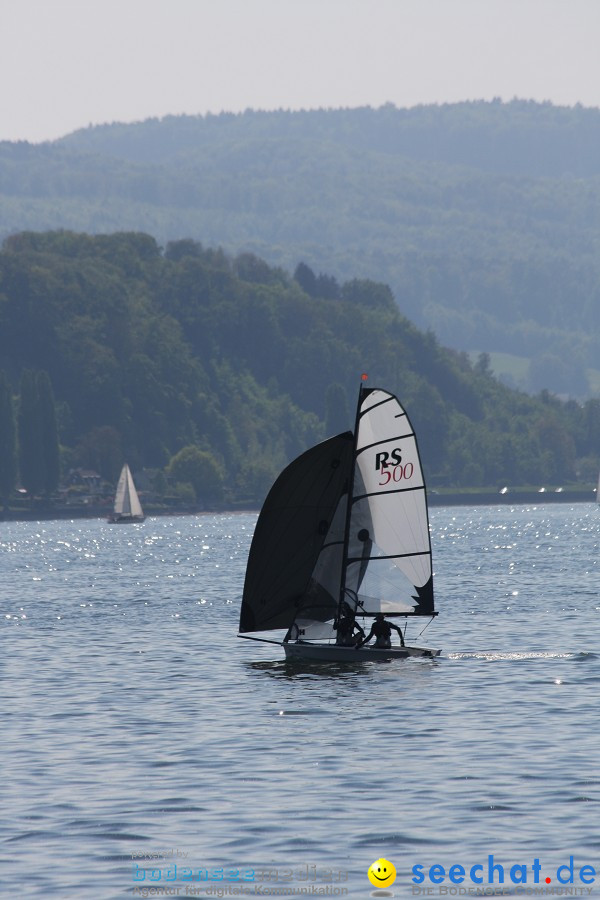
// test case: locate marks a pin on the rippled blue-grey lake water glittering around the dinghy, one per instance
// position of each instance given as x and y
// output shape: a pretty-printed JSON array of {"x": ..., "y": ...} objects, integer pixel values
[{"x": 143, "y": 744}]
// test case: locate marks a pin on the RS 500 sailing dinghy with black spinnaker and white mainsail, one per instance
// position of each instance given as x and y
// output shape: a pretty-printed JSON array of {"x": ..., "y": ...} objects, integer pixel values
[{"x": 344, "y": 533}]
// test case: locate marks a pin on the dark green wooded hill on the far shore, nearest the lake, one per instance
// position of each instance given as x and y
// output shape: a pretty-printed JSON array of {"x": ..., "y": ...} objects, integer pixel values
[{"x": 150, "y": 352}]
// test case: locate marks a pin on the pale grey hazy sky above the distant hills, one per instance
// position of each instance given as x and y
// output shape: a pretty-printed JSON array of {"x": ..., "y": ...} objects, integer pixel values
[{"x": 67, "y": 63}]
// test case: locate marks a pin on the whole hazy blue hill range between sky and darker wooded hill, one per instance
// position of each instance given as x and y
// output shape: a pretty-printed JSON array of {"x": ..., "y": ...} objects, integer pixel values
[{"x": 484, "y": 218}]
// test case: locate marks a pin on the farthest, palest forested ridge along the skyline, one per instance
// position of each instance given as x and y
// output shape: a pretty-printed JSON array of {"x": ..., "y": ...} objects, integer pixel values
[{"x": 517, "y": 138}]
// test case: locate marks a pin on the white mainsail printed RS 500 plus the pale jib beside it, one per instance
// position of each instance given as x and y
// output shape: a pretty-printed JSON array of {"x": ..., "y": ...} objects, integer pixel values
[{"x": 378, "y": 560}]
